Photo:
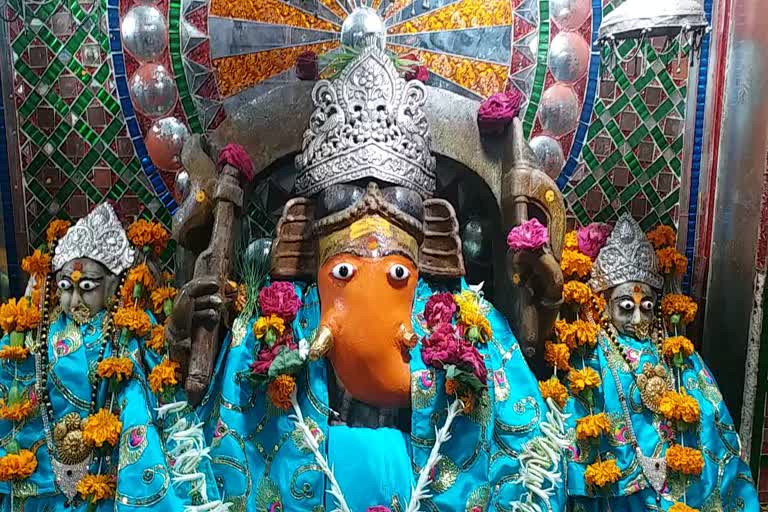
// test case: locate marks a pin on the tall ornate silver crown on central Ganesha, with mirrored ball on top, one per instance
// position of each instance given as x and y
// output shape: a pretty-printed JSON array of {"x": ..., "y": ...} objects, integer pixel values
[{"x": 368, "y": 123}]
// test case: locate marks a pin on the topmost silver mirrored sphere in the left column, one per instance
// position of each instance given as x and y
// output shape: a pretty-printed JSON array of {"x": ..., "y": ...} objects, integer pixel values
[{"x": 144, "y": 32}]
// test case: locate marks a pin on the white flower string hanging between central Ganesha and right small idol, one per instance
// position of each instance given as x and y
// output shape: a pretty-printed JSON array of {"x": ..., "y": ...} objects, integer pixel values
[{"x": 539, "y": 462}]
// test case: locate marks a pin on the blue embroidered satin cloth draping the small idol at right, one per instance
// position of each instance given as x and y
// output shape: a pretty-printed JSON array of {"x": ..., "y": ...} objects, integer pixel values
[{"x": 726, "y": 482}]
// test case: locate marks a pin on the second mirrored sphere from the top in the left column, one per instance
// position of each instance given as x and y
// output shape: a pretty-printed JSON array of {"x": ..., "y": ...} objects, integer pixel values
[{"x": 153, "y": 90}]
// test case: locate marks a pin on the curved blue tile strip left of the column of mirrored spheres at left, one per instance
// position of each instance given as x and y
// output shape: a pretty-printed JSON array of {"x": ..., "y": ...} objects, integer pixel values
[{"x": 121, "y": 80}]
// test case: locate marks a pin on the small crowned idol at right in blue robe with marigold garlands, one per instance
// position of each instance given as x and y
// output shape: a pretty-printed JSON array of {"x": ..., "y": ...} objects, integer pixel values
[{"x": 653, "y": 432}]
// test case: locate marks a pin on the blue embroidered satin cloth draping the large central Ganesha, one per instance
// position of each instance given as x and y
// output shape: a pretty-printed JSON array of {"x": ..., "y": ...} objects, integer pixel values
[{"x": 262, "y": 464}]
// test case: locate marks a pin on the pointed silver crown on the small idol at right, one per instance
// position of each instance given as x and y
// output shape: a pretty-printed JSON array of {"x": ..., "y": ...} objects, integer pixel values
[{"x": 628, "y": 256}]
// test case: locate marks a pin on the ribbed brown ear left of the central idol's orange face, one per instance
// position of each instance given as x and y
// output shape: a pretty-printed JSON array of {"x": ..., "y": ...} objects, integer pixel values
[{"x": 293, "y": 253}]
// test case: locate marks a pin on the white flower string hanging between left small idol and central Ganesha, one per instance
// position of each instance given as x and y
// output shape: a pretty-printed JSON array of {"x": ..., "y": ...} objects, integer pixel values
[{"x": 188, "y": 452}]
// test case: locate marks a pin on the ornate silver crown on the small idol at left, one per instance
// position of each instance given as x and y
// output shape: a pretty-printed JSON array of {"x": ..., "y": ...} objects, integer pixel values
[{"x": 100, "y": 237}]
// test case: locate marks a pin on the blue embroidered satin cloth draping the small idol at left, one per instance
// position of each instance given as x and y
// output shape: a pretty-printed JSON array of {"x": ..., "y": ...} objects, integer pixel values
[{"x": 143, "y": 469}]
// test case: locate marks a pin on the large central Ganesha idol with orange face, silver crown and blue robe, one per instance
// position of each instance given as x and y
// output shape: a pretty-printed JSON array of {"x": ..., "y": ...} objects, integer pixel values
[{"x": 364, "y": 373}]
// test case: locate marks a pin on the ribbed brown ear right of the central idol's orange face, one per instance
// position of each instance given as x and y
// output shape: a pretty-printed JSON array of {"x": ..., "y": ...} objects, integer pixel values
[{"x": 440, "y": 253}]
